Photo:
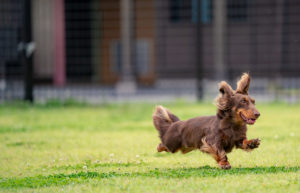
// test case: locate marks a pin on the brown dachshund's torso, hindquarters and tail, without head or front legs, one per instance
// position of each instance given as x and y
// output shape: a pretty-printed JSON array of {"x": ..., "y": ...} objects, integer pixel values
[{"x": 180, "y": 135}]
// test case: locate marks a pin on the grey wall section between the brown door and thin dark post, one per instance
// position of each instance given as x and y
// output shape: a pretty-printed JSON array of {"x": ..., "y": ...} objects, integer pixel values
[{"x": 175, "y": 44}]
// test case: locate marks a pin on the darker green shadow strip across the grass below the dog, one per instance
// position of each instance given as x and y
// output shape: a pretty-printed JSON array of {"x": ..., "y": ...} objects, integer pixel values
[{"x": 82, "y": 177}]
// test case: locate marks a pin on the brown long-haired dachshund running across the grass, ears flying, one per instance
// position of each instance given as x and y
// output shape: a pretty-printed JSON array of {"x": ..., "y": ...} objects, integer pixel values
[{"x": 215, "y": 135}]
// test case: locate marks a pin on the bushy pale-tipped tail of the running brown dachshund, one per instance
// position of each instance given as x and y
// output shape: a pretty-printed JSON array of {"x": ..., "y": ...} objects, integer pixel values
[{"x": 162, "y": 119}]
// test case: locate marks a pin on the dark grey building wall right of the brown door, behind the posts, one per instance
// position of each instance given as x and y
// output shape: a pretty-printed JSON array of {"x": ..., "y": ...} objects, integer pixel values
[{"x": 259, "y": 39}]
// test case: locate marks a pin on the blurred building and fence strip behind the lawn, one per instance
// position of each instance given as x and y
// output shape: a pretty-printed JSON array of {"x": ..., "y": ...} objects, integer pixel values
[{"x": 147, "y": 50}]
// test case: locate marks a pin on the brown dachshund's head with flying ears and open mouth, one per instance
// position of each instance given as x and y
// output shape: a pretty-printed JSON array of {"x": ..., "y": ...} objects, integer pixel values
[{"x": 237, "y": 104}]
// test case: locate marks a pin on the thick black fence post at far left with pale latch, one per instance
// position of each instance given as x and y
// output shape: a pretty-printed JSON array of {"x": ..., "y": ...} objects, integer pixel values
[{"x": 27, "y": 52}]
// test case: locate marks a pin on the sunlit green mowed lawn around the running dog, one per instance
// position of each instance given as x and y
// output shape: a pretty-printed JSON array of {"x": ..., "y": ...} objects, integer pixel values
[{"x": 112, "y": 148}]
